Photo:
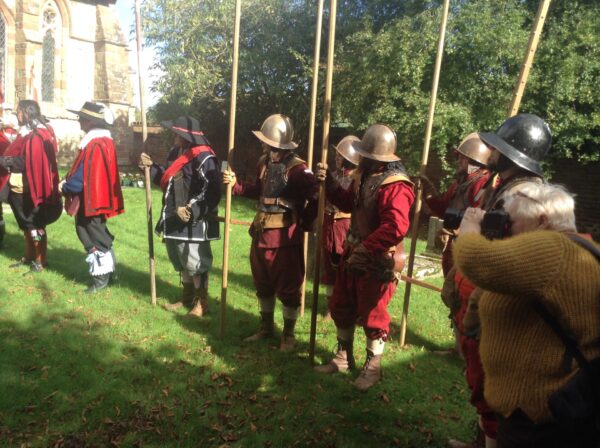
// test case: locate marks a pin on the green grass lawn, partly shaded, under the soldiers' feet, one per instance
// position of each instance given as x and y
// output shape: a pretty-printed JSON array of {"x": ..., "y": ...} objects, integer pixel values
[{"x": 112, "y": 370}]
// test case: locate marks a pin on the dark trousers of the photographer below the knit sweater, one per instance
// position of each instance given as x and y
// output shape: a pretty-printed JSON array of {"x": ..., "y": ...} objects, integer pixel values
[{"x": 518, "y": 431}]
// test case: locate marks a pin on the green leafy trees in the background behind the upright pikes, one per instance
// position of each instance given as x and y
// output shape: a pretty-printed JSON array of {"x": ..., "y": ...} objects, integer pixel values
[{"x": 385, "y": 53}]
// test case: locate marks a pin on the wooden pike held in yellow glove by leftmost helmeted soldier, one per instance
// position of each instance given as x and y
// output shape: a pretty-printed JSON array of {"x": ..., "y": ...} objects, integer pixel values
[{"x": 232, "y": 106}]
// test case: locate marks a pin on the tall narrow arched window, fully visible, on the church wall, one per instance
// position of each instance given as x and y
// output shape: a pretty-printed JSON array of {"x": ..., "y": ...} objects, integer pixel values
[{"x": 50, "y": 28}]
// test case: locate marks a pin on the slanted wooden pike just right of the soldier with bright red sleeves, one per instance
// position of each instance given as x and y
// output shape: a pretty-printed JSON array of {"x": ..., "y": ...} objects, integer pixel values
[{"x": 424, "y": 158}]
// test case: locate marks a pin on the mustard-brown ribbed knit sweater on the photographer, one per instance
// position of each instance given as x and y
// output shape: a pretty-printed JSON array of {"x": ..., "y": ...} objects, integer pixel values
[{"x": 521, "y": 355}]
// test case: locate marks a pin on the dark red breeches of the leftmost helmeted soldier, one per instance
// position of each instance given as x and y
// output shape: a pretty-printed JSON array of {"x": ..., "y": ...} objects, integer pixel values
[{"x": 278, "y": 271}]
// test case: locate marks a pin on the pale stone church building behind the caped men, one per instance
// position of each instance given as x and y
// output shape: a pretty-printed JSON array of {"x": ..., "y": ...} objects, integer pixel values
[{"x": 63, "y": 53}]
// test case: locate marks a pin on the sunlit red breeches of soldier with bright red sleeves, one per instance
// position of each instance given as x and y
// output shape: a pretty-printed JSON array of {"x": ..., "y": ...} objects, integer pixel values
[{"x": 363, "y": 300}]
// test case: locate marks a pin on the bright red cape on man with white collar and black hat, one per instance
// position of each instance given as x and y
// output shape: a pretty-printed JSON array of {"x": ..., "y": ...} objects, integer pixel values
[{"x": 101, "y": 185}]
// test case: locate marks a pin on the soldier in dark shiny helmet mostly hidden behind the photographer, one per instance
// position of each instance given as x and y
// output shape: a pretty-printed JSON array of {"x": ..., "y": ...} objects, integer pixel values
[{"x": 521, "y": 142}]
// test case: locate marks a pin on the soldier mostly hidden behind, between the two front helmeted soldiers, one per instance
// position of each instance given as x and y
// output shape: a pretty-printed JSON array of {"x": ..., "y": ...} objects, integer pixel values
[{"x": 336, "y": 222}]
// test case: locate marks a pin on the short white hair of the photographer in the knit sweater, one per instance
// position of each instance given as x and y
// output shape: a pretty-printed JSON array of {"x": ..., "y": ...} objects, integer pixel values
[{"x": 552, "y": 200}]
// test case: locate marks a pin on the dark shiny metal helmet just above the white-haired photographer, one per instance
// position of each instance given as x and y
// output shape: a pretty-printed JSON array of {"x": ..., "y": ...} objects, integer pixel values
[{"x": 524, "y": 139}]
